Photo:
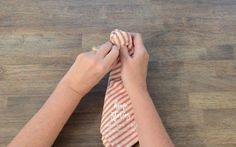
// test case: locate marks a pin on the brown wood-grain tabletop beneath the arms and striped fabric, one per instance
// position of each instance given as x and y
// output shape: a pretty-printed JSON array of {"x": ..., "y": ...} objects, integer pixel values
[{"x": 192, "y": 69}]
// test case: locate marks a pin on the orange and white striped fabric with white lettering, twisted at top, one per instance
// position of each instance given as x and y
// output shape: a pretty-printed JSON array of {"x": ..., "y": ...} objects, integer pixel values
[{"x": 118, "y": 127}]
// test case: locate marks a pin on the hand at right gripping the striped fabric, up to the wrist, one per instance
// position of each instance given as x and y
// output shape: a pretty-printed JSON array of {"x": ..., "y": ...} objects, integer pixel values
[{"x": 134, "y": 68}]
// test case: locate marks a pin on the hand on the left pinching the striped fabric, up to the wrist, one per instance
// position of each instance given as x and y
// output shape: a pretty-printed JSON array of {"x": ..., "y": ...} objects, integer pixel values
[{"x": 90, "y": 67}]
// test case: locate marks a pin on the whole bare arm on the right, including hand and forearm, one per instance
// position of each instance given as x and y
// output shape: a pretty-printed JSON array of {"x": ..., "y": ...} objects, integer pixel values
[{"x": 134, "y": 71}]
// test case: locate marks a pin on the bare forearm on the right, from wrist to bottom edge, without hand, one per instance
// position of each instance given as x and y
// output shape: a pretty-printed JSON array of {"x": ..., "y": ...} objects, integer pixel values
[{"x": 149, "y": 126}]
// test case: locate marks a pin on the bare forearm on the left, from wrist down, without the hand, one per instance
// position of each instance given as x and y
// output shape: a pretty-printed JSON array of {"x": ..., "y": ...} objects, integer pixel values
[{"x": 46, "y": 124}]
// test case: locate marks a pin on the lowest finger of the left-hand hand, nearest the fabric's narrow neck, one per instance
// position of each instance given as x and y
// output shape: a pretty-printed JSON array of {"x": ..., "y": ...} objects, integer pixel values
[{"x": 111, "y": 57}]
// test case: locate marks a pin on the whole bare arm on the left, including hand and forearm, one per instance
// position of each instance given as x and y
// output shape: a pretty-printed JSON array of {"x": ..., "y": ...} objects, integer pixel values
[{"x": 87, "y": 70}]
